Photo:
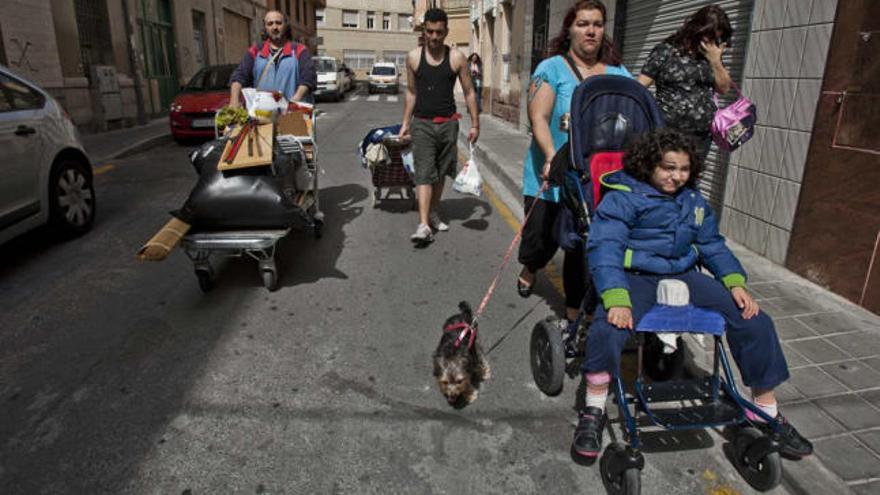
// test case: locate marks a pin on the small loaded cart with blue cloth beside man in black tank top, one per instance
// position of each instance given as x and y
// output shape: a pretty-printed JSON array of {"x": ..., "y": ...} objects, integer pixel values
[{"x": 389, "y": 160}]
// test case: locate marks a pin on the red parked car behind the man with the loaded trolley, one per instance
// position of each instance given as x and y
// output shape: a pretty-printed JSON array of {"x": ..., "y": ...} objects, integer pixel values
[{"x": 192, "y": 111}]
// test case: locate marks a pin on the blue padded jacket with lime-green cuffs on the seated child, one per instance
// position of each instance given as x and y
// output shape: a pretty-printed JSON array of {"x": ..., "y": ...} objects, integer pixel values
[{"x": 640, "y": 229}]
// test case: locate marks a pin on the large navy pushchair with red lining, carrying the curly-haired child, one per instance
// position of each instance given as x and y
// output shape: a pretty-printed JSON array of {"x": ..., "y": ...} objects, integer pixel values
[{"x": 607, "y": 111}]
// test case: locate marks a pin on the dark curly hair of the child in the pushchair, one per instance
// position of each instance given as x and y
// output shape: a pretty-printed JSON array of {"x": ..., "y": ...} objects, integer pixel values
[{"x": 646, "y": 152}]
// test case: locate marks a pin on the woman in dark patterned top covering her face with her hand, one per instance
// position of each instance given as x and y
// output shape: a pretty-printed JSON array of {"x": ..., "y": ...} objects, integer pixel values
[{"x": 687, "y": 70}]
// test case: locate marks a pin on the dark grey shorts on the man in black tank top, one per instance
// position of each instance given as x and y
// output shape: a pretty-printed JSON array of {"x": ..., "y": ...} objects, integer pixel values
[{"x": 435, "y": 150}]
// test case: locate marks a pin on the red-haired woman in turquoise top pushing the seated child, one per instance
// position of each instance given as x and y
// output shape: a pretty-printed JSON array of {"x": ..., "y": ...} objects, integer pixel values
[{"x": 583, "y": 47}]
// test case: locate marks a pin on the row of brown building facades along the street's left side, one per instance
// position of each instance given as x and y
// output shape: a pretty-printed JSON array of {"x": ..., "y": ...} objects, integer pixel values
[{"x": 113, "y": 62}]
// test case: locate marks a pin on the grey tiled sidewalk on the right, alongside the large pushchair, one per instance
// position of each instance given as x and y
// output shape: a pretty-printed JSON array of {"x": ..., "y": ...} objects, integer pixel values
[{"x": 832, "y": 346}]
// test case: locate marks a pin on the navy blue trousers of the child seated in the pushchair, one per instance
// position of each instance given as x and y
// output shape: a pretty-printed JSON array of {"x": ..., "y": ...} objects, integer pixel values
[{"x": 753, "y": 342}]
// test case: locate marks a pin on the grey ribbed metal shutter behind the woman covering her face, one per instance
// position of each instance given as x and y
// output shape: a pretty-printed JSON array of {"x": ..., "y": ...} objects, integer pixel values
[{"x": 648, "y": 22}]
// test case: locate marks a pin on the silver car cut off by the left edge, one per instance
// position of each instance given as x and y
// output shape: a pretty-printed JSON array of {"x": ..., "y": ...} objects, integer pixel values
[{"x": 46, "y": 173}]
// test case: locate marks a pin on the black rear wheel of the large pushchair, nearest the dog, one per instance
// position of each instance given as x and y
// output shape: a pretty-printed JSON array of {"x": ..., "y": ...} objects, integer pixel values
[{"x": 547, "y": 356}]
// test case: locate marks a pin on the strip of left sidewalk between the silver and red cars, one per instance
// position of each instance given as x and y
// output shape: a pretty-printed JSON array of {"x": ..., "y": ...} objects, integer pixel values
[{"x": 103, "y": 146}]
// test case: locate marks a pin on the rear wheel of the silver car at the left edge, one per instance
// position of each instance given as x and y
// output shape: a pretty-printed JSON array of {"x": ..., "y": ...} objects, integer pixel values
[{"x": 71, "y": 197}]
